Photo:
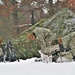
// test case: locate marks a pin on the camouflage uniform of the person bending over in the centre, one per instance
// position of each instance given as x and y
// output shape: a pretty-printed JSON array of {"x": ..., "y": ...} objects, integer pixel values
[{"x": 45, "y": 37}]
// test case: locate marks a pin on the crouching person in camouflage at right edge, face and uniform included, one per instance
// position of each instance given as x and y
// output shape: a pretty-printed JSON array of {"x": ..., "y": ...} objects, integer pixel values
[{"x": 67, "y": 46}]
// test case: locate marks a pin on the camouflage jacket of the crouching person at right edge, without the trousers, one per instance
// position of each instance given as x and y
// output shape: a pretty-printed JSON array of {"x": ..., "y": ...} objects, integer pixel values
[{"x": 69, "y": 41}]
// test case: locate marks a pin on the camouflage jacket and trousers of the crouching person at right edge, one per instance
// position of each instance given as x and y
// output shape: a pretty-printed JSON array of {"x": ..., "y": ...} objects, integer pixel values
[{"x": 69, "y": 42}]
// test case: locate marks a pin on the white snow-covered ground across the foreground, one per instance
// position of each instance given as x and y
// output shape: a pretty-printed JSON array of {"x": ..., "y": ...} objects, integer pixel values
[{"x": 30, "y": 67}]
